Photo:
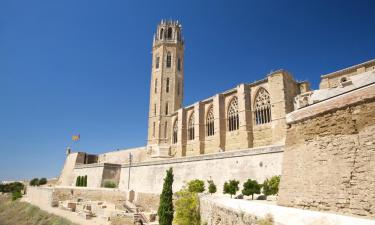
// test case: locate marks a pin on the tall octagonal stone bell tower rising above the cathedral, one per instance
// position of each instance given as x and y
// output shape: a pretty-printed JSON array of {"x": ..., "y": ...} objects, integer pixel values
[{"x": 166, "y": 88}]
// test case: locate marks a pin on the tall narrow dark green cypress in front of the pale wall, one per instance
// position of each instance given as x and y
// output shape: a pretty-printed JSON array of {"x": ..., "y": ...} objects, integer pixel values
[{"x": 165, "y": 211}]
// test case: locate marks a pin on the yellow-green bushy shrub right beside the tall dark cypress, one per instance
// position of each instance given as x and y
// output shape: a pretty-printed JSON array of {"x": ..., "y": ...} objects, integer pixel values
[{"x": 187, "y": 208}]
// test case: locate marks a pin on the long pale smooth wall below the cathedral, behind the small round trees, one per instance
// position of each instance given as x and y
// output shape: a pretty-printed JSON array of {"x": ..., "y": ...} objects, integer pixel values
[{"x": 256, "y": 163}]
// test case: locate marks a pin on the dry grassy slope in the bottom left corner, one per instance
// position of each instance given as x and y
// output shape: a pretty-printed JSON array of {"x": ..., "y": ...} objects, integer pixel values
[{"x": 16, "y": 213}]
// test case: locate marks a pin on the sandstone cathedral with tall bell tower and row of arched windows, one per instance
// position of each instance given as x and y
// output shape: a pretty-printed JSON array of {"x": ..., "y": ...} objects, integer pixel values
[{"x": 246, "y": 116}]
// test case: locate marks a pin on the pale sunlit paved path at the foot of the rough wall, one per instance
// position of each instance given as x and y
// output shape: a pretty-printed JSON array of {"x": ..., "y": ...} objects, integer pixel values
[{"x": 287, "y": 215}]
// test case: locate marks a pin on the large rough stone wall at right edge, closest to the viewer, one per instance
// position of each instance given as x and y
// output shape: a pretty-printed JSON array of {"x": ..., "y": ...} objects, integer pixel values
[{"x": 329, "y": 160}]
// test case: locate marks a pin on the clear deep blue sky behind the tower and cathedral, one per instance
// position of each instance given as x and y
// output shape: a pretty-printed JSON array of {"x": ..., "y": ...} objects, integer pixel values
[{"x": 69, "y": 67}]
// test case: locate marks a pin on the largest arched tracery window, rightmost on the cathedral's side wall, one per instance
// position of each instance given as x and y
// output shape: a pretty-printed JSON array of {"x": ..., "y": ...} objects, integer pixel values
[{"x": 262, "y": 107}]
